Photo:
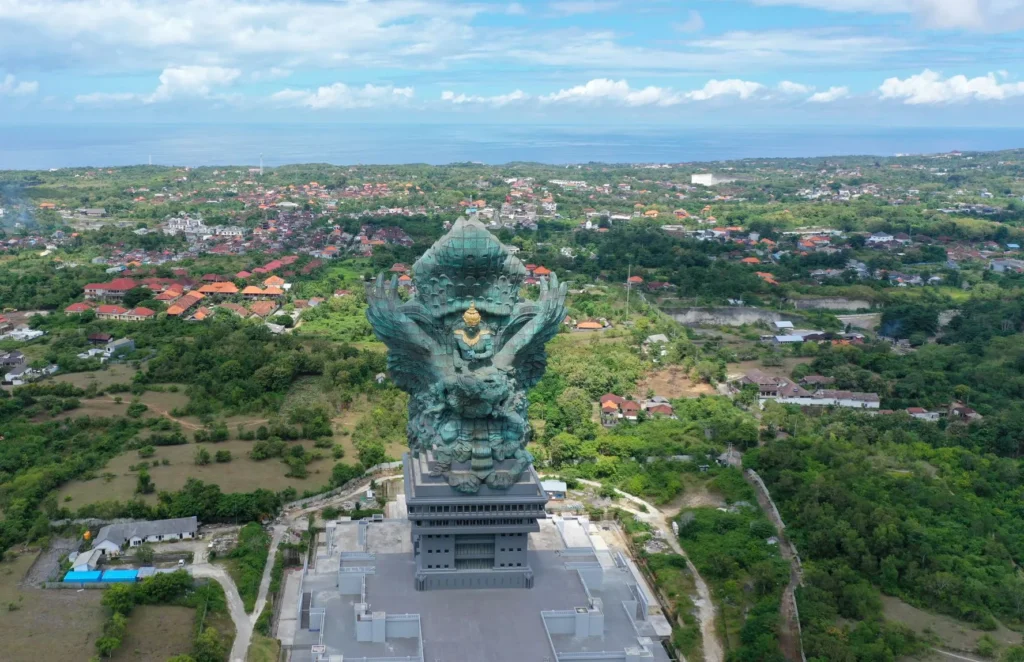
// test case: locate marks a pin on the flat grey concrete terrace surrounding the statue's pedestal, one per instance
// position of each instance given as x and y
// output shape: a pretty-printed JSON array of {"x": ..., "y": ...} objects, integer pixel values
[{"x": 459, "y": 626}]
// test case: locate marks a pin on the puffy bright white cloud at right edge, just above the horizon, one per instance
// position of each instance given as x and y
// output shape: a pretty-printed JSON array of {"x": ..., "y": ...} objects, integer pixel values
[{"x": 931, "y": 88}]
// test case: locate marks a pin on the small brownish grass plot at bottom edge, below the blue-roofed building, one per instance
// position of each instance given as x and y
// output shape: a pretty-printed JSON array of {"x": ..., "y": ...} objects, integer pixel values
[{"x": 157, "y": 633}]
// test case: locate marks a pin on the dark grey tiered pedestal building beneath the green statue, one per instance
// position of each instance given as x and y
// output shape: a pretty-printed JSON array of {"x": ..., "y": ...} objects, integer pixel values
[{"x": 472, "y": 541}]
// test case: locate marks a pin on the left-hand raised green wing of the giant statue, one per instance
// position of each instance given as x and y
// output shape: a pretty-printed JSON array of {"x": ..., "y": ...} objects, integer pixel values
[{"x": 405, "y": 328}]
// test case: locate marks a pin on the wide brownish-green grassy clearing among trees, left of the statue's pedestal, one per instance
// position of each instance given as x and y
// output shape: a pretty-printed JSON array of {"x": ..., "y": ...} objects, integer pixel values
[{"x": 241, "y": 475}]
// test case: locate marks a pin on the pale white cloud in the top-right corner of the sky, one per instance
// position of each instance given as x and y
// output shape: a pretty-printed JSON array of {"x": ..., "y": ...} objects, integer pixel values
[{"x": 1002, "y": 16}]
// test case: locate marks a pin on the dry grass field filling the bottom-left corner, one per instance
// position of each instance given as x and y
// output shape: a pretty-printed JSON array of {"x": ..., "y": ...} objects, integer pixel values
[{"x": 46, "y": 625}]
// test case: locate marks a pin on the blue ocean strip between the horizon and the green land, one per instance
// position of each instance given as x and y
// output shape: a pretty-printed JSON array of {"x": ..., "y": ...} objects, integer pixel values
[{"x": 45, "y": 147}]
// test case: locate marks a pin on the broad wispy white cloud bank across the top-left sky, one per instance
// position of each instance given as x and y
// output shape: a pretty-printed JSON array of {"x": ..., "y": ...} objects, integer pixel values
[{"x": 145, "y": 34}]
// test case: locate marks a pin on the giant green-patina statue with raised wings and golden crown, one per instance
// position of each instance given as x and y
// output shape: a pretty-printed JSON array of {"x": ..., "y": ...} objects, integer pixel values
[{"x": 466, "y": 348}]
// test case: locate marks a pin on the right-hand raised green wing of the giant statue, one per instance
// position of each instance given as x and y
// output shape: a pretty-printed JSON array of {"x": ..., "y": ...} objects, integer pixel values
[{"x": 533, "y": 325}]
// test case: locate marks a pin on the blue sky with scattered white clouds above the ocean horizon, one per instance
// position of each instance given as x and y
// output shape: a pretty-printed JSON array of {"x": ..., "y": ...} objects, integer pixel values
[{"x": 684, "y": 63}]
